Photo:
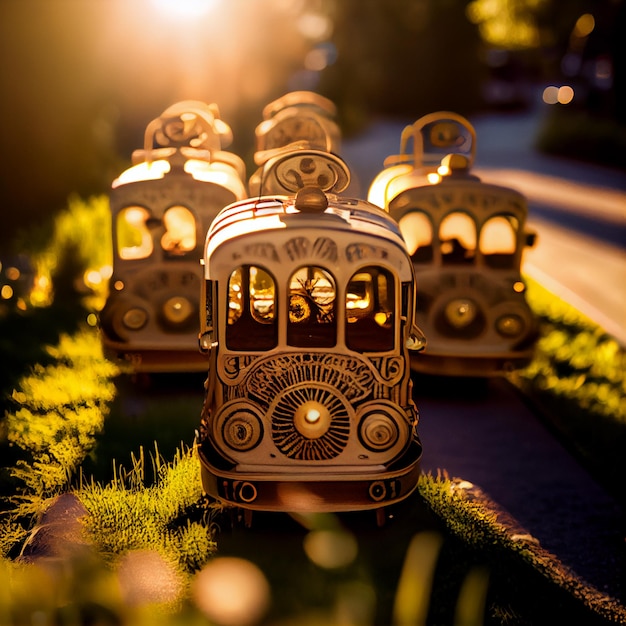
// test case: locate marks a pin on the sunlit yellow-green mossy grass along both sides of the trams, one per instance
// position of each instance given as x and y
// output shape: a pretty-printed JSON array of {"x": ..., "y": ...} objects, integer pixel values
[{"x": 144, "y": 551}]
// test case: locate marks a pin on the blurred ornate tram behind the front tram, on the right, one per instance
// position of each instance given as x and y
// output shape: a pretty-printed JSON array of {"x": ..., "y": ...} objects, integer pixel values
[{"x": 466, "y": 239}]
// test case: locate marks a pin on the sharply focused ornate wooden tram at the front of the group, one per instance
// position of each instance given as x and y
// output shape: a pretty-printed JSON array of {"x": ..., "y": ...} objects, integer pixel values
[{"x": 308, "y": 319}]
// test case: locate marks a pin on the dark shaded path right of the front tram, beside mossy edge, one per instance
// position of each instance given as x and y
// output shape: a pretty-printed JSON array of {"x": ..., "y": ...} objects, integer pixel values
[{"x": 470, "y": 433}]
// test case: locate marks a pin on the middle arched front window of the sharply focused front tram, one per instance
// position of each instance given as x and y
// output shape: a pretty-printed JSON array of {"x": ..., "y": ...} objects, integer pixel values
[{"x": 312, "y": 321}]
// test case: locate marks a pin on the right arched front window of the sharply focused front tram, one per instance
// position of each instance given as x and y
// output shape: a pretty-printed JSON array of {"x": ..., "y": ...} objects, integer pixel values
[{"x": 370, "y": 303}]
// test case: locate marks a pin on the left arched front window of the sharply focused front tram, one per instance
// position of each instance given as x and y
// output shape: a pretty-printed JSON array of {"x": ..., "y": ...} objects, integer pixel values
[{"x": 251, "y": 320}]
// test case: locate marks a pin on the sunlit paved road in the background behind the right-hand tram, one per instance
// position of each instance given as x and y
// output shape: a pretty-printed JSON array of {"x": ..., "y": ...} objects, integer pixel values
[{"x": 578, "y": 210}]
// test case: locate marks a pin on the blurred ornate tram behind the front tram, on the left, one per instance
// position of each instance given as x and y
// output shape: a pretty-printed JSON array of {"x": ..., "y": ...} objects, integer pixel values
[{"x": 161, "y": 209}]
